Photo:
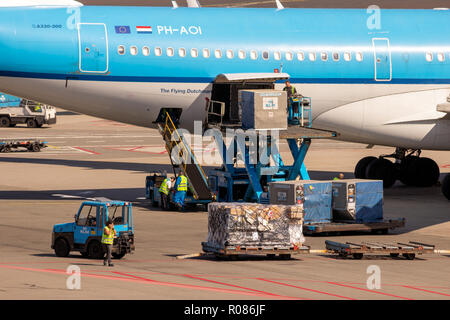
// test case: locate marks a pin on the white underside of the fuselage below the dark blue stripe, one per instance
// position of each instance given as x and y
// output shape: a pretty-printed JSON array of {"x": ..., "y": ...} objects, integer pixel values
[{"x": 382, "y": 114}]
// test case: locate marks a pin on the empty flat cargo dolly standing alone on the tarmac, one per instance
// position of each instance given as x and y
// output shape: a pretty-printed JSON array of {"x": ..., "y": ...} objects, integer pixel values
[{"x": 357, "y": 250}]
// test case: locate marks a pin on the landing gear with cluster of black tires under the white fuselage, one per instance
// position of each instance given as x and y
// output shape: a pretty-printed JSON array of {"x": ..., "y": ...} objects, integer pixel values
[{"x": 409, "y": 168}]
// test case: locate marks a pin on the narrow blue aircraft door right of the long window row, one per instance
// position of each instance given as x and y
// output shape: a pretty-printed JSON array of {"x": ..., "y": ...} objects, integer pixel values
[{"x": 383, "y": 62}]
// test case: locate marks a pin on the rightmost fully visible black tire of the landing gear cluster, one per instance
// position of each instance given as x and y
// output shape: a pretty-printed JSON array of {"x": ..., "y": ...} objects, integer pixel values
[{"x": 424, "y": 172}]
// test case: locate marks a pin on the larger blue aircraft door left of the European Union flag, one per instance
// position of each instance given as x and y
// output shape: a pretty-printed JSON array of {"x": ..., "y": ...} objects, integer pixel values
[{"x": 93, "y": 47}]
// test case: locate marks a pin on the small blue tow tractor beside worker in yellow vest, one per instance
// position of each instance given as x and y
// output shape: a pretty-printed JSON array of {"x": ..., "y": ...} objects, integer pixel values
[{"x": 85, "y": 233}]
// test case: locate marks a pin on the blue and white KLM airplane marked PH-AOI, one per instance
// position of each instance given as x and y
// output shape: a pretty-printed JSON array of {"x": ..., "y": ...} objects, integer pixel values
[{"x": 379, "y": 77}]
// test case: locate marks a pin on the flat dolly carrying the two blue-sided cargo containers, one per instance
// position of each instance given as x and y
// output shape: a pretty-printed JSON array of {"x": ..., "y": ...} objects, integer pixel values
[{"x": 352, "y": 226}]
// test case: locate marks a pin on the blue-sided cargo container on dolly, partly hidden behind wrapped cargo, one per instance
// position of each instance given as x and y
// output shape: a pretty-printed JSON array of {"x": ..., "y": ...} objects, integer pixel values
[{"x": 314, "y": 196}]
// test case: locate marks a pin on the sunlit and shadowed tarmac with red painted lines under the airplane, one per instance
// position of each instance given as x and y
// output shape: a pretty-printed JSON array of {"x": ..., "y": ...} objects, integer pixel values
[{"x": 89, "y": 157}]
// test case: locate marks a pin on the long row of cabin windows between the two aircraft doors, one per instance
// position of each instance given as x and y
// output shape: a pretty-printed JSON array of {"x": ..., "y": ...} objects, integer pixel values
[{"x": 242, "y": 54}]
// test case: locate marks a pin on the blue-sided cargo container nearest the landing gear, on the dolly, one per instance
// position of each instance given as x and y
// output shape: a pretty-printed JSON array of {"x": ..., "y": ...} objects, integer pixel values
[{"x": 358, "y": 200}]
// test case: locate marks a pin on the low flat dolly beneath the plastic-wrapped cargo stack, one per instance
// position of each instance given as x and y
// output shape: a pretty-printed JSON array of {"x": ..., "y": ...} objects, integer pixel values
[{"x": 284, "y": 252}]
